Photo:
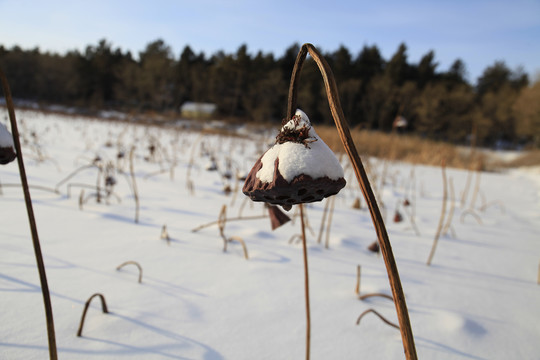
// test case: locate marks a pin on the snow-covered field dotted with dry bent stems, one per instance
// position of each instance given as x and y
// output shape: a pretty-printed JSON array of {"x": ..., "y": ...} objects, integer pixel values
[{"x": 479, "y": 299}]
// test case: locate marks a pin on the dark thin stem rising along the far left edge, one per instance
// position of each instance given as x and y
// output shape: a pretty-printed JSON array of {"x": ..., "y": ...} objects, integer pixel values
[{"x": 33, "y": 227}]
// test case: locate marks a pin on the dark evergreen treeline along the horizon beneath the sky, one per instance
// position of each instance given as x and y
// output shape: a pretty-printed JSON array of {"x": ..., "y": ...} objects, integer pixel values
[{"x": 501, "y": 108}]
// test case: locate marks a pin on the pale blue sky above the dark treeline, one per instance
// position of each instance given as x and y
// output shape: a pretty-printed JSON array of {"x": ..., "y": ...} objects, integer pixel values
[{"x": 478, "y": 32}]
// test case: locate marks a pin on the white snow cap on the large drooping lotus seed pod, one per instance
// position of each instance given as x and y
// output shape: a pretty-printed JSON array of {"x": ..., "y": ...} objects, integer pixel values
[{"x": 315, "y": 160}]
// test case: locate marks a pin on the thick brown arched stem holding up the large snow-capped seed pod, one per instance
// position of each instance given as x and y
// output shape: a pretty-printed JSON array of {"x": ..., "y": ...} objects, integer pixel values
[{"x": 350, "y": 149}]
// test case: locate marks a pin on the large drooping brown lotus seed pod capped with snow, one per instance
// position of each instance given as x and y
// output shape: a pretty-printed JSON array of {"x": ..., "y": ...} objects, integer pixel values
[{"x": 299, "y": 168}]
